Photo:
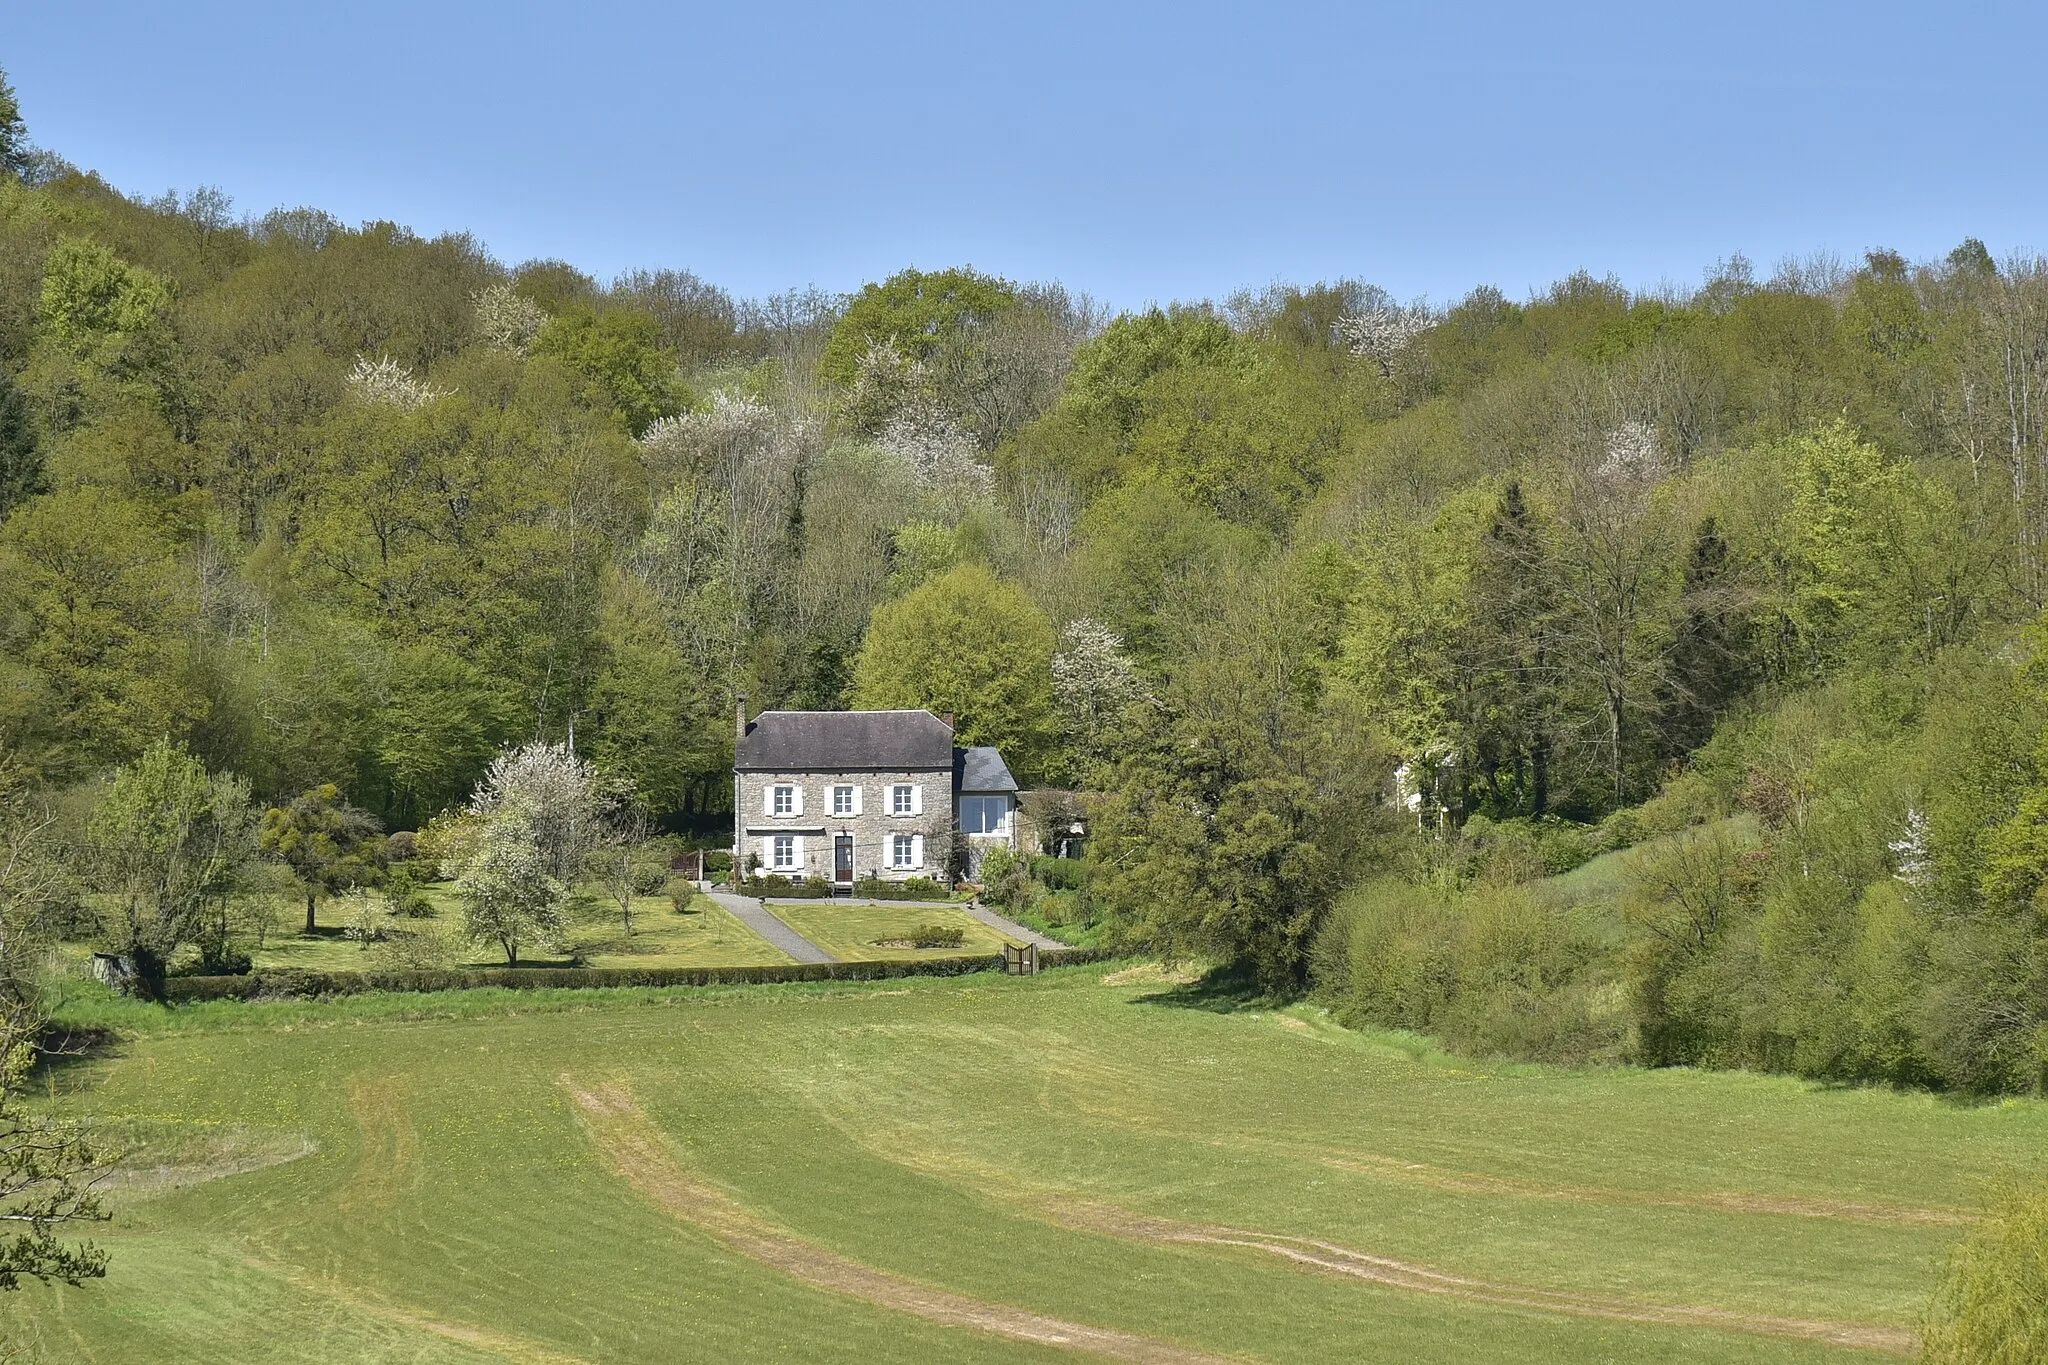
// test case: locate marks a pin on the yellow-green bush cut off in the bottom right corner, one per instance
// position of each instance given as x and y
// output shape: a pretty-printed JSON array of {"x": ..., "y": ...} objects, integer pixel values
[{"x": 1994, "y": 1301}]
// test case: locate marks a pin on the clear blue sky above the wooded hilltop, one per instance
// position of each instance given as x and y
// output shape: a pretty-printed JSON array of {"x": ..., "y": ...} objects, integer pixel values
[{"x": 1132, "y": 150}]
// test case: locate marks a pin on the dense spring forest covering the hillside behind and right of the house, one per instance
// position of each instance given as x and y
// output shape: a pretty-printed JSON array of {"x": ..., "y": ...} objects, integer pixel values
[{"x": 1357, "y": 625}]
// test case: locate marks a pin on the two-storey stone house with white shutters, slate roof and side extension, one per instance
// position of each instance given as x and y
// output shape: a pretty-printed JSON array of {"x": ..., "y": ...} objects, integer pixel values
[{"x": 857, "y": 795}]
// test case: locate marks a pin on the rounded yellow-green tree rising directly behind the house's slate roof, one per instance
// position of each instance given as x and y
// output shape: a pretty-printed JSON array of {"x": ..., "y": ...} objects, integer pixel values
[{"x": 972, "y": 646}]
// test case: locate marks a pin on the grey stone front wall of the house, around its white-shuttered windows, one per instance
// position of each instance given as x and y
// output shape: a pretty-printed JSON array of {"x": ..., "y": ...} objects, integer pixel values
[{"x": 871, "y": 830}]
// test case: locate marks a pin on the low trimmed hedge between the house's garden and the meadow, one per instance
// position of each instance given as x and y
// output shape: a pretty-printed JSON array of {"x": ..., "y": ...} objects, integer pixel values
[{"x": 300, "y": 983}]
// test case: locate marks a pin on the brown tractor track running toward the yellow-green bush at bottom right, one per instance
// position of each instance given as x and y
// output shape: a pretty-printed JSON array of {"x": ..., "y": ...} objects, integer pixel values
[{"x": 1068, "y": 1210}]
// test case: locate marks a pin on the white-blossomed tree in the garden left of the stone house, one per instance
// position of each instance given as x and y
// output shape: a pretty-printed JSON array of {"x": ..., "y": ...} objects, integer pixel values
[{"x": 538, "y": 816}]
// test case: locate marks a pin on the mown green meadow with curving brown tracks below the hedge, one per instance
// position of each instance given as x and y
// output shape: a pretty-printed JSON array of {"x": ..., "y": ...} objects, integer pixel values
[{"x": 978, "y": 1170}]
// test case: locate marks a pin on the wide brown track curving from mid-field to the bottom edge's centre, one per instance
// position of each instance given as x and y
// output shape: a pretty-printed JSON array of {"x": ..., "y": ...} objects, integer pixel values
[{"x": 644, "y": 1159}]
